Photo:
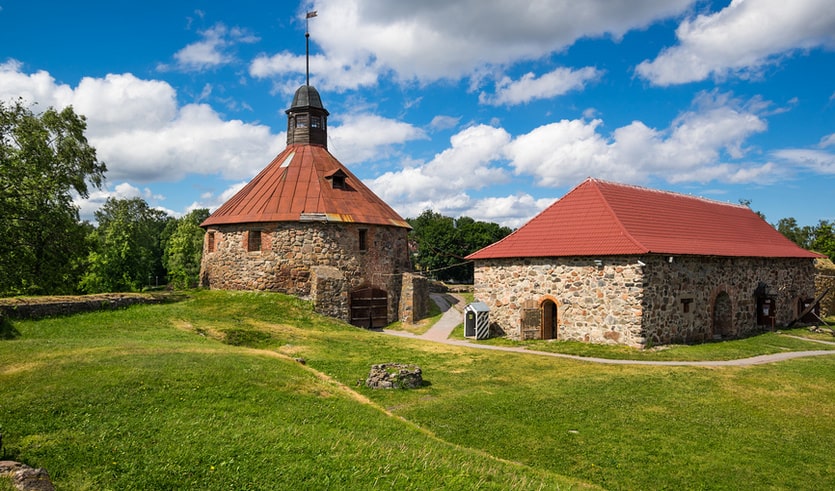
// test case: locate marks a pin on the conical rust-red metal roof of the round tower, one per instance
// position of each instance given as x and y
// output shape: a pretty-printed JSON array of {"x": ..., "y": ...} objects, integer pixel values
[{"x": 298, "y": 186}]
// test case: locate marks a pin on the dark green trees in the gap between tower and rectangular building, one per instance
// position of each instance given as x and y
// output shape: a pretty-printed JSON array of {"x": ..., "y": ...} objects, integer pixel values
[{"x": 442, "y": 243}]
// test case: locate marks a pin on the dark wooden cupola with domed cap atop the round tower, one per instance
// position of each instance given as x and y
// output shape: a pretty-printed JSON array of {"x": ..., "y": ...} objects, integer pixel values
[{"x": 307, "y": 119}]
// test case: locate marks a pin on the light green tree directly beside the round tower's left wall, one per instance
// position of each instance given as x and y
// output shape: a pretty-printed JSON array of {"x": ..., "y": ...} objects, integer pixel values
[{"x": 184, "y": 250}]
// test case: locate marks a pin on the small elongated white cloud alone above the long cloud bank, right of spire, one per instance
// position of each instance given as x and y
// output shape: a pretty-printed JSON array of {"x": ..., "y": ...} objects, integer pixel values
[{"x": 530, "y": 87}]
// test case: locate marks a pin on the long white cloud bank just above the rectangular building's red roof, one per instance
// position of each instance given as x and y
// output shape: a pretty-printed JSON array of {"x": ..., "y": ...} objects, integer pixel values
[{"x": 704, "y": 144}]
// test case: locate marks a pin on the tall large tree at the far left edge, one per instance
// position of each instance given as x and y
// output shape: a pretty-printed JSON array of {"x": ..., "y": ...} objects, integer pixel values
[{"x": 44, "y": 159}]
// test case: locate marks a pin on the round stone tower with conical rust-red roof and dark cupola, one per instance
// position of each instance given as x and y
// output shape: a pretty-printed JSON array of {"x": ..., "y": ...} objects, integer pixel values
[{"x": 306, "y": 226}]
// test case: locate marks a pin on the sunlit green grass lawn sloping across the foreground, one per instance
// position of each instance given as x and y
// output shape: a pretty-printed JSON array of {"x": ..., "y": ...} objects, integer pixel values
[{"x": 205, "y": 394}]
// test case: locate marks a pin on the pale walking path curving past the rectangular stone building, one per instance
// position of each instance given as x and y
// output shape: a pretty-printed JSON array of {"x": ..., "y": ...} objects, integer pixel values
[{"x": 453, "y": 316}]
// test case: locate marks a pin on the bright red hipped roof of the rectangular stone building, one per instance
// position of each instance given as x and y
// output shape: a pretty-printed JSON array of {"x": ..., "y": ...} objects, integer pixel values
[{"x": 603, "y": 218}]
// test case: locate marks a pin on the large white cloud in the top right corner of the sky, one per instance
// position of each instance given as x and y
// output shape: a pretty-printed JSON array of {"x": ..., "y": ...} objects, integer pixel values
[{"x": 741, "y": 39}]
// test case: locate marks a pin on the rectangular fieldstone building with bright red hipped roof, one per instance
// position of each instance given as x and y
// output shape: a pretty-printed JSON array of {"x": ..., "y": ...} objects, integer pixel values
[{"x": 620, "y": 264}]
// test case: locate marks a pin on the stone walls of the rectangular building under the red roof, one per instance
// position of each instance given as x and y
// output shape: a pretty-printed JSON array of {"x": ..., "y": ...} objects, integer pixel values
[{"x": 624, "y": 302}]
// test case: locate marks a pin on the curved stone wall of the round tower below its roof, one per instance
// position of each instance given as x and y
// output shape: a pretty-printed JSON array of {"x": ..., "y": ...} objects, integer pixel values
[{"x": 291, "y": 252}]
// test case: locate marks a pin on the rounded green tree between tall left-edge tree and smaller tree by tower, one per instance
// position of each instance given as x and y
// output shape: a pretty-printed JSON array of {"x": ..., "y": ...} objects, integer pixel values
[{"x": 128, "y": 249}]
